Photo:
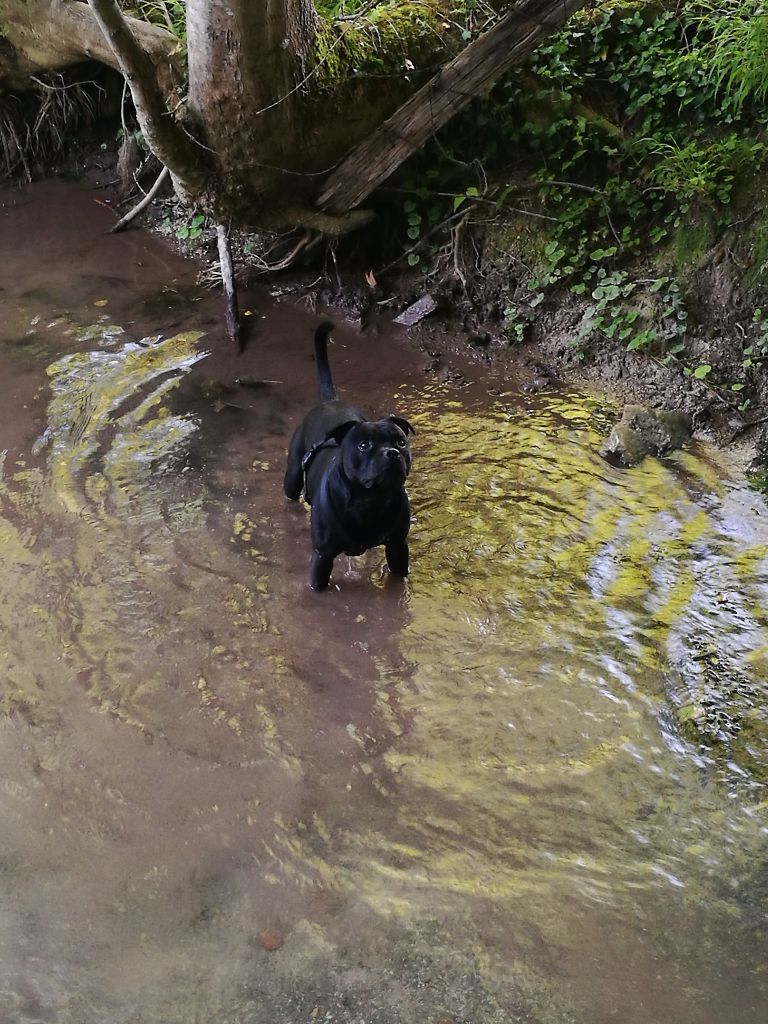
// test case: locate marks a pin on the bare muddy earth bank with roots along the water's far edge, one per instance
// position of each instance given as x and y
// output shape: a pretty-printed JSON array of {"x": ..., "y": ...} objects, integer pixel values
[{"x": 474, "y": 326}]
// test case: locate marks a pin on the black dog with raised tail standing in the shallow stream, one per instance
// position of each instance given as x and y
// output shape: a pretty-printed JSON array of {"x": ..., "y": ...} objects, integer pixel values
[{"x": 353, "y": 473}]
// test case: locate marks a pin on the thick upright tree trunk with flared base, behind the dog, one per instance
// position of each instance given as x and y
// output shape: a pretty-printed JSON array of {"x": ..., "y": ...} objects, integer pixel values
[{"x": 267, "y": 111}]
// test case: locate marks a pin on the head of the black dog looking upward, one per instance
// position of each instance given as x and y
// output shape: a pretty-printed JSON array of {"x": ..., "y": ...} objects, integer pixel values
[{"x": 375, "y": 453}]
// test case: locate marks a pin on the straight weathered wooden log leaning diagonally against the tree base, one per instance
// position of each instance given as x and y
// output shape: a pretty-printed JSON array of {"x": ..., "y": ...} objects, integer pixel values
[{"x": 510, "y": 40}]
